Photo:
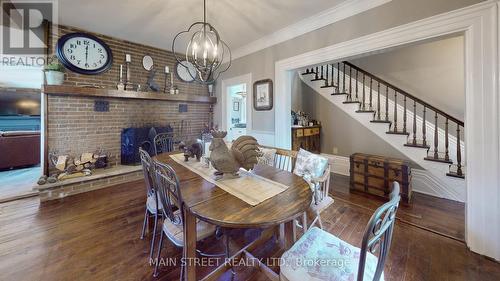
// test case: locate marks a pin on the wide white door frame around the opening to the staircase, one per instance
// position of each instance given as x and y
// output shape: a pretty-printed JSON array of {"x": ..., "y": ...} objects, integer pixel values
[{"x": 479, "y": 24}]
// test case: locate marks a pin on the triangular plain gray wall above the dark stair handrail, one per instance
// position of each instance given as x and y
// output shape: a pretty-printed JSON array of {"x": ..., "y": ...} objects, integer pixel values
[{"x": 432, "y": 71}]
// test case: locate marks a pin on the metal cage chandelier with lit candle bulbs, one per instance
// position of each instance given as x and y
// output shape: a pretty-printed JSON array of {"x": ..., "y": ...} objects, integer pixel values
[{"x": 205, "y": 51}]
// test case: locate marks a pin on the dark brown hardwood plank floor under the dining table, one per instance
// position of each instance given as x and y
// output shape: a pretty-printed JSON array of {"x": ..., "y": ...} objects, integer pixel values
[{"x": 95, "y": 236}]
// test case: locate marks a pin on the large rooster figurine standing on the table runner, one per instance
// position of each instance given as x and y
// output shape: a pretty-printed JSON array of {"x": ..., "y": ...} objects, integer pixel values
[{"x": 243, "y": 154}]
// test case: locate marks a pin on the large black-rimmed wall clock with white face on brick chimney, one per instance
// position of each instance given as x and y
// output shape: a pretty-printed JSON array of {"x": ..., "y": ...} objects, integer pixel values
[{"x": 84, "y": 53}]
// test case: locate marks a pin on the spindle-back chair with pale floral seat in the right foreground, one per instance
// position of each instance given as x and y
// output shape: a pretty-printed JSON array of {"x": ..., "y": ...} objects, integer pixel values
[{"x": 342, "y": 261}]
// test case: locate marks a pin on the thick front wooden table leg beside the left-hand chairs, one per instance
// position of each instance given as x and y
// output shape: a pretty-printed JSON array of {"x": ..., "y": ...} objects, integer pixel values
[{"x": 189, "y": 251}]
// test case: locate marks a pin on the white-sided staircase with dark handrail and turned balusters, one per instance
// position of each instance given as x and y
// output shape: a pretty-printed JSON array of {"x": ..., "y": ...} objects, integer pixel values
[{"x": 427, "y": 135}]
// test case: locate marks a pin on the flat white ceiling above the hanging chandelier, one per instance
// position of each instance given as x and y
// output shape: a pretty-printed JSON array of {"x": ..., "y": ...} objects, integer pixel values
[{"x": 156, "y": 22}]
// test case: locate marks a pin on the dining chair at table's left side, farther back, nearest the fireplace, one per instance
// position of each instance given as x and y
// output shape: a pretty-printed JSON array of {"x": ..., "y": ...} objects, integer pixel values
[{"x": 153, "y": 206}]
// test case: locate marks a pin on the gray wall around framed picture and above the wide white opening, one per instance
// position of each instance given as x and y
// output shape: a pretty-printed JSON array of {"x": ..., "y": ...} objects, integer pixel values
[{"x": 392, "y": 14}]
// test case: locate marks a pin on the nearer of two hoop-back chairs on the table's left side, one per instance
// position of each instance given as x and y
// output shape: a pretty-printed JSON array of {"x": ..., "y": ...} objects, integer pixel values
[{"x": 170, "y": 197}]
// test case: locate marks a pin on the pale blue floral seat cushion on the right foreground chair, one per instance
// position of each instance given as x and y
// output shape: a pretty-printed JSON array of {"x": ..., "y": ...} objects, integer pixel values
[{"x": 319, "y": 255}]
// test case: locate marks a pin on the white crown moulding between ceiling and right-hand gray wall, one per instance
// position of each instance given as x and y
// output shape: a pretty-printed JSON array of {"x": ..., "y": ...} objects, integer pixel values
[{"x": 342, "y": 11}]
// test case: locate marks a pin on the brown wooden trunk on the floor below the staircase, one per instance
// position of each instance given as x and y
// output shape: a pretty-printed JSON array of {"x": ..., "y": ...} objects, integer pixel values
[{"x": 374, "y": 174}]
